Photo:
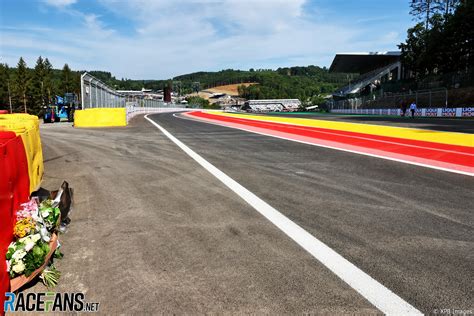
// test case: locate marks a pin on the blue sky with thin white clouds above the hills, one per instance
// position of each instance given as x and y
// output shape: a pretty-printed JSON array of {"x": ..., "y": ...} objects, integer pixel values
[{"x": 160, "y": 39}]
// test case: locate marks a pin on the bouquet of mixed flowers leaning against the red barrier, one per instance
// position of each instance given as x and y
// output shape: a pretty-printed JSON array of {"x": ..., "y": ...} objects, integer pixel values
[{"x": 35, "y": 224}]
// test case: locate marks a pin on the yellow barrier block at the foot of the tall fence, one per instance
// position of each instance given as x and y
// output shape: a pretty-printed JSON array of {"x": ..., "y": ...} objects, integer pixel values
[{"x": 100, "y": 117}]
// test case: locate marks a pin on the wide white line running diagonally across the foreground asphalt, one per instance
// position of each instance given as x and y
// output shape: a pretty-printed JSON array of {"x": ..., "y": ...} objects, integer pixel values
[{"x": 377, "y": 294}]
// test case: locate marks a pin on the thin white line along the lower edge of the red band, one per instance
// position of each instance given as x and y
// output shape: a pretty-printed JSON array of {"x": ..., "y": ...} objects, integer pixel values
[{"x": 466, "y": 173}]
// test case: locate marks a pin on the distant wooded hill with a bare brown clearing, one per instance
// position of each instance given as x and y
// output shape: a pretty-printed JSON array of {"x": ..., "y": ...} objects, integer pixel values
[{"x": 304, "y": 83}]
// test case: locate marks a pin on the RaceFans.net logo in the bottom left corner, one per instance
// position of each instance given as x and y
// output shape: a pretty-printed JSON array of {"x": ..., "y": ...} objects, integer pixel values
[{"x": 48, "y": 302}]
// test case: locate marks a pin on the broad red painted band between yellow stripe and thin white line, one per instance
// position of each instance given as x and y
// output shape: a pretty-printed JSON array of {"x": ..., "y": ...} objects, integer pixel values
[{"x": 444, "y": 153}]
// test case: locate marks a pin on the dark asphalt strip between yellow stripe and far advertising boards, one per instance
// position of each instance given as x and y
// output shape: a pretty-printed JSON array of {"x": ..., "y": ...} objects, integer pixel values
[{"x": 461, "y": 125}]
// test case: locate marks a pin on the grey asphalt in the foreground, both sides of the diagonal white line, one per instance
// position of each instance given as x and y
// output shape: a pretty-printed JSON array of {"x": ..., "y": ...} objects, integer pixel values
[{"x": 154, "y": 232}]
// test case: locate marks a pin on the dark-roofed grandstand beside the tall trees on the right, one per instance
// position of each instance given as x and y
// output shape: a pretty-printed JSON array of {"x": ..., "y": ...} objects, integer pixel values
[{"x": 384, "y": 82}]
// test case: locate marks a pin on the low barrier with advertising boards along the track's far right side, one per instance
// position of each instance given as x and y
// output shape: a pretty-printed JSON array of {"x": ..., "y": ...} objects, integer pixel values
[{"x": 429, "y": 112}]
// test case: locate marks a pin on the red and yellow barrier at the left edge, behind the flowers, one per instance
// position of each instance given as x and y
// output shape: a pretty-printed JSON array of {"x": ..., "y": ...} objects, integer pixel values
[{"x": 21, "y": 172}]
